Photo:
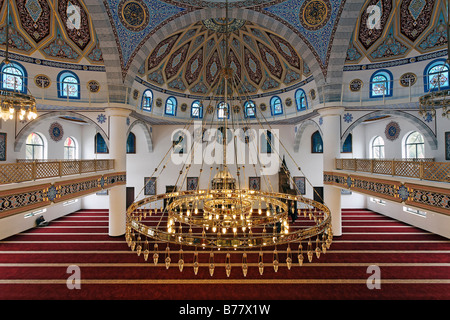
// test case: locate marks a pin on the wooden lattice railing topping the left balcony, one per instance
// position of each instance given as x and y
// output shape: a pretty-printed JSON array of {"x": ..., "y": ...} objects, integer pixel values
[{"x": 27, "y": 170}]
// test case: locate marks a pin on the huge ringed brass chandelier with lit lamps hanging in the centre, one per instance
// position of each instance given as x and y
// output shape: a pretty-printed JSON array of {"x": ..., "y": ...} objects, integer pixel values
[{"x": 227, "y": 221}]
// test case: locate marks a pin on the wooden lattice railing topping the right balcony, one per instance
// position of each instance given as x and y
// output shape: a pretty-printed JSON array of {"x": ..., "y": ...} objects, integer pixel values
[{"x": 424, "y": 169}]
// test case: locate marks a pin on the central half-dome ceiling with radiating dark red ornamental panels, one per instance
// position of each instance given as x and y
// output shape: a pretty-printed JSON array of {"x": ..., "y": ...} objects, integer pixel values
[{"x": 191, "y": 60}]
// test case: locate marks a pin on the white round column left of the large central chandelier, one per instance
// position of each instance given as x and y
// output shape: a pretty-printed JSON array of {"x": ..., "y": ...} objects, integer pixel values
[{"x": 118, "y": 152}]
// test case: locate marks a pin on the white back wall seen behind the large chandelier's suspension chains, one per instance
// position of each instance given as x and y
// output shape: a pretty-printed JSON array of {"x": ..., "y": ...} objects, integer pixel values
[{"x": 142, "y": 164}]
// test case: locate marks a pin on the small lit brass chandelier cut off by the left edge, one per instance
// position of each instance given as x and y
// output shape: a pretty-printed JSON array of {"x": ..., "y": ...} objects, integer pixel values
[{"x": 12, "y": 100}]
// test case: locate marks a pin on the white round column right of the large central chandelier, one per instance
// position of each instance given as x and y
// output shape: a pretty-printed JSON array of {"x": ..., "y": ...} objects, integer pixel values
[{"x": 331, "y": 137}]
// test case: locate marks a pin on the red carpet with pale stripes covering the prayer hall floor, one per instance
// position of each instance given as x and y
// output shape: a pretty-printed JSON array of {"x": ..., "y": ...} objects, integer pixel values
[{"x": 414, "y": 264}]
